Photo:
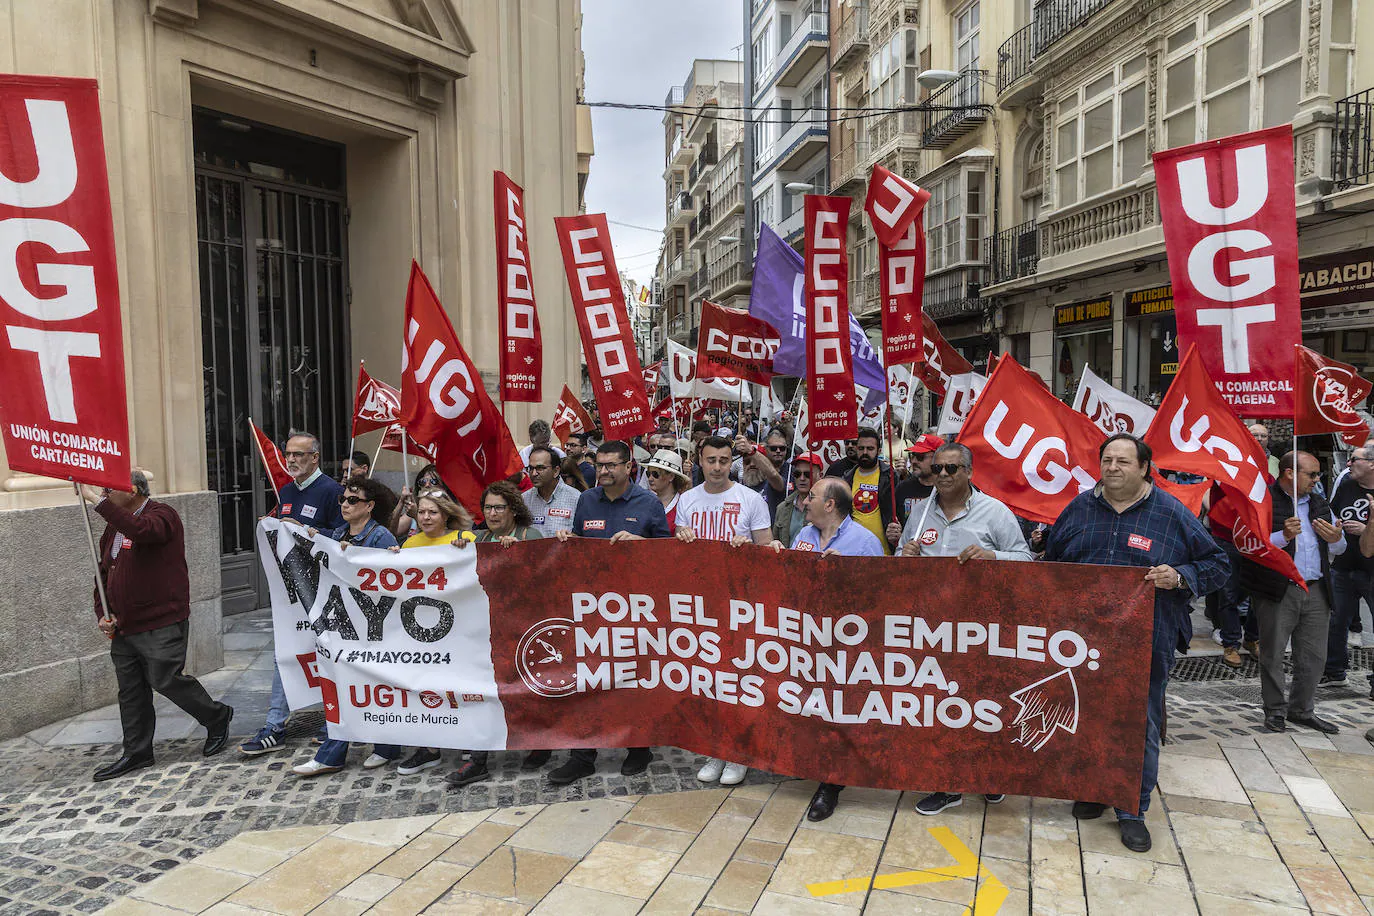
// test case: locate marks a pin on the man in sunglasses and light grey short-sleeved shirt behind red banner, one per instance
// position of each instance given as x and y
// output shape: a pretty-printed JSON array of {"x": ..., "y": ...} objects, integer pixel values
[{"x": 960, "y": 521}]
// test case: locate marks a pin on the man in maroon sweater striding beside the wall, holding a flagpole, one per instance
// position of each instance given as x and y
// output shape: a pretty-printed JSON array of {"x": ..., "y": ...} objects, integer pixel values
[{"x": 144, "y": 566}]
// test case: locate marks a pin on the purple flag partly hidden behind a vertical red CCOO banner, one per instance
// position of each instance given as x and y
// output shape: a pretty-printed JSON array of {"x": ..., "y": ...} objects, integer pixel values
[{"x": 778, "y": 299}]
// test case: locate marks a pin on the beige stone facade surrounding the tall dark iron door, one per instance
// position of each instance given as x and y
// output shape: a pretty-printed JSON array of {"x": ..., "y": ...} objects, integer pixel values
[{"x": 429, "y": 98}]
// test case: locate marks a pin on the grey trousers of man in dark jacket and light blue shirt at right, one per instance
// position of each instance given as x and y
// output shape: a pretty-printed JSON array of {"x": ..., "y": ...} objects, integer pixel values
[{"x": 1305, "y": 619}]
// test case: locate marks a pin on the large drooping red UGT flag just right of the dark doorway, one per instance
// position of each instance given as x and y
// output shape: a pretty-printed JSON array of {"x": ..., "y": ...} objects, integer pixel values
[{"x": 446, "y": 406}]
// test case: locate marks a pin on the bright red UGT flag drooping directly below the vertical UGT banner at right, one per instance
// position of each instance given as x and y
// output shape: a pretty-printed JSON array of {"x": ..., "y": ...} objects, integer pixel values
[{"x": 1196, "y": 432}]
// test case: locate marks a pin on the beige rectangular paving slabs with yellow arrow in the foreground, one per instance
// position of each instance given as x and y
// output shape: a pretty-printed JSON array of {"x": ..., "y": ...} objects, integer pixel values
[{"x": 1277, "y": 825}]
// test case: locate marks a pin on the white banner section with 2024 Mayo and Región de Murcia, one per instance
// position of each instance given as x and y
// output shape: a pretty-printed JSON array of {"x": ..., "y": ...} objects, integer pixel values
[{"x": 396, "y": 646}]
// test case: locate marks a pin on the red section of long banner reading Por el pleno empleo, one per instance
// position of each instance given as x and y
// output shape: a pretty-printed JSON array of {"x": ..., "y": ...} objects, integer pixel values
[{"x": 862, "y": 694}]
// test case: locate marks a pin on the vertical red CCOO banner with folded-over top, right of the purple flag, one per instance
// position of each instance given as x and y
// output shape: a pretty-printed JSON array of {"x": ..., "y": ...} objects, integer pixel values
[{"x": 895, "y": 212}]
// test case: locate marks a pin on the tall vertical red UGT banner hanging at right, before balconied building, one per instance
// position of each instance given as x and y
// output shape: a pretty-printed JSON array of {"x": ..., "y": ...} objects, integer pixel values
[{"x": 1230, "y": 231}]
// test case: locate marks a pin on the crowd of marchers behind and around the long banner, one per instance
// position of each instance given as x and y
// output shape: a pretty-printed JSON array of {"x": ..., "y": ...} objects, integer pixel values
[{"x": 745, "y": 483}]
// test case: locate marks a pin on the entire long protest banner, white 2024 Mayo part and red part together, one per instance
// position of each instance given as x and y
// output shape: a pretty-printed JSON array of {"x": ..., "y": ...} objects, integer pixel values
[{"x": 818, "y": 668}]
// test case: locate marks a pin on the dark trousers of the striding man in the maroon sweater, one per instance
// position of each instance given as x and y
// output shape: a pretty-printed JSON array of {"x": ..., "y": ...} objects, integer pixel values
[{"x": 153, "y": 661}]
